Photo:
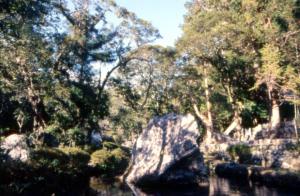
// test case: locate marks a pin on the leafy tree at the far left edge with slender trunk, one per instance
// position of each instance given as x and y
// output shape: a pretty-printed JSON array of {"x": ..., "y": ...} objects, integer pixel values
[{"x": 23, "y": 54}]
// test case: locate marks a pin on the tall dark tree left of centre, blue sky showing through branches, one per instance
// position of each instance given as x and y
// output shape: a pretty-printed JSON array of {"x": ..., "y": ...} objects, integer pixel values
[{"x": 90, "y": 40}]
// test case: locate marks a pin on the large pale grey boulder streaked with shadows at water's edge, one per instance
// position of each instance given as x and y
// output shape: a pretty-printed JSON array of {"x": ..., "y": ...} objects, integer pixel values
[{"x": 167, "y": 152}]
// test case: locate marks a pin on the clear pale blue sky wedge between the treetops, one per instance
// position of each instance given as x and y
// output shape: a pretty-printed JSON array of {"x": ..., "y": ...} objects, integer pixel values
[{"x": 165, "y": 15}]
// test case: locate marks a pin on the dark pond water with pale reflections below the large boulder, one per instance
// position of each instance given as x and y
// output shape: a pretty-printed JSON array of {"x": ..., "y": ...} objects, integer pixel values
[{"x": 216, "y": 186}]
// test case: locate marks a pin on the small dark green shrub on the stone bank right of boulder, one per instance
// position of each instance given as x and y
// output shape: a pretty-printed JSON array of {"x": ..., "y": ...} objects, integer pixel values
[{"x": 240, "y": 152}]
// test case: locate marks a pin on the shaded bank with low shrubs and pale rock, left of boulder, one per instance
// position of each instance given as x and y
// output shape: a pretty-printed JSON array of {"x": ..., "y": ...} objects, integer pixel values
[{"x": 27, "y": 170}]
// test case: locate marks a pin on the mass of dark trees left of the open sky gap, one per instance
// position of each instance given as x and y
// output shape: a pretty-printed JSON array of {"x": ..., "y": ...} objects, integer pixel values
[{"x": 48, "y": 50}]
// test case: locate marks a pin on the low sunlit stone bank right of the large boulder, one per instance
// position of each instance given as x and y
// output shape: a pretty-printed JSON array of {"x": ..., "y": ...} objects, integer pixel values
[{"x": 273, "y": 163}]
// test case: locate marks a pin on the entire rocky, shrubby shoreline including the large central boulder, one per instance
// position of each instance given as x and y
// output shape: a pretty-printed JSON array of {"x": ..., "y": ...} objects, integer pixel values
[{"x": 167, "y": 153}]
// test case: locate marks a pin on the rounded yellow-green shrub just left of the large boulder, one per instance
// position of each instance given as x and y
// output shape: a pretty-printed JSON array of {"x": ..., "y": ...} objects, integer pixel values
[{"x": 110, "y": 162}]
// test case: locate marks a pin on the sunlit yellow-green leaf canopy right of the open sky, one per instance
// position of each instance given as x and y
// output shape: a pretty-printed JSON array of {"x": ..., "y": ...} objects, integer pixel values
[{"x": 250, "y": 49}]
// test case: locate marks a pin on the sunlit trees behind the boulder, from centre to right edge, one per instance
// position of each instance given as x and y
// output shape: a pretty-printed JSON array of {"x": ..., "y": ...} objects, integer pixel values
[{"x": 235, "y": 66}]
